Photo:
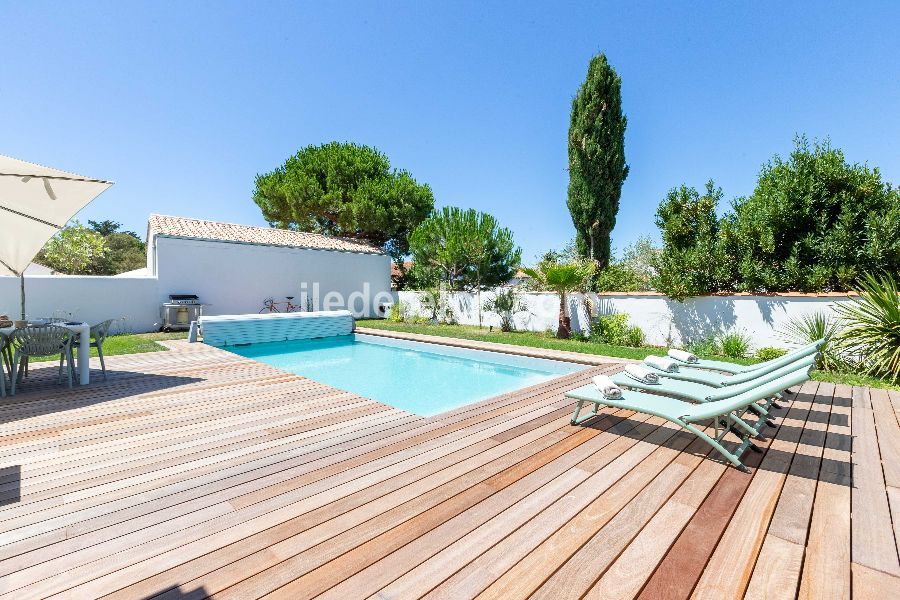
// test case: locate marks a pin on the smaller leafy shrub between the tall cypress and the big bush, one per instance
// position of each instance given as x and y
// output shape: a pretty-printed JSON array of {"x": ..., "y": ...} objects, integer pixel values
[{"x": 693, "y": 260}]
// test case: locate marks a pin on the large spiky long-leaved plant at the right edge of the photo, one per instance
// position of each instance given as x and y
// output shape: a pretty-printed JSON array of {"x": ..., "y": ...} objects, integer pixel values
[{"x": 872, "y": 326}]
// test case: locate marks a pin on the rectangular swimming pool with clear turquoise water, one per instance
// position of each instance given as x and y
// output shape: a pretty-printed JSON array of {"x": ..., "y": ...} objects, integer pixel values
[{"x": 421, "y": 378}]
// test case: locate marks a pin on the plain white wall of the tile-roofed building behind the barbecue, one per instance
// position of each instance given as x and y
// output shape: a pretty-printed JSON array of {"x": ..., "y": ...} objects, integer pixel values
[{"x": 236, "y": 278}]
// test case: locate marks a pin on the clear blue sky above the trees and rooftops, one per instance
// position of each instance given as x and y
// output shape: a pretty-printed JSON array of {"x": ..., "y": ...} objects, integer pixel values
[{"x": 181, "y": 104}]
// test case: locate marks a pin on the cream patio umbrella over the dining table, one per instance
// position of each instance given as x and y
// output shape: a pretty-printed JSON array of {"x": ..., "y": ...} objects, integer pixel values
[{"x": 35, "y": 203}]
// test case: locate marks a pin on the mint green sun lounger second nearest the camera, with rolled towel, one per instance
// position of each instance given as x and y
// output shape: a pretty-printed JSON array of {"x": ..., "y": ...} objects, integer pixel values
[{"x": 697, "y": 392}]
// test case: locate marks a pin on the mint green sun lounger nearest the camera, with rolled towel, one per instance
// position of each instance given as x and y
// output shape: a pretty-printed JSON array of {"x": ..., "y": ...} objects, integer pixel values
[{"x": 723, "y": 413}]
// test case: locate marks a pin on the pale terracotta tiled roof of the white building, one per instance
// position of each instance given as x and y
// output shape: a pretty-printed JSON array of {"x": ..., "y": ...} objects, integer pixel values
[{"x": 183, "y": 227}]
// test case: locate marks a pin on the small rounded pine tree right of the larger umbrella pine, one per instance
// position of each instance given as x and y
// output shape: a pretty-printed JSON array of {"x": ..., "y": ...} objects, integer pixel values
[{"x": 464, "y": 249}]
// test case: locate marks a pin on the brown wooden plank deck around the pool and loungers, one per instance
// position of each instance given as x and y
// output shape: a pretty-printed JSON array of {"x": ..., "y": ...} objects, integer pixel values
[{"x": 196, "y": 473}]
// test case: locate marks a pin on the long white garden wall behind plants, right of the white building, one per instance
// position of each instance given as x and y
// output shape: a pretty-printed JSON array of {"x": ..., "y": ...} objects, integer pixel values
[{"x": 664, "y": 321}]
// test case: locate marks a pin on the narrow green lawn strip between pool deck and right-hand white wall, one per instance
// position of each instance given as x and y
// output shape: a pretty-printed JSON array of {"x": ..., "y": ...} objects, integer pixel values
[{"x": 546, "y": 340}]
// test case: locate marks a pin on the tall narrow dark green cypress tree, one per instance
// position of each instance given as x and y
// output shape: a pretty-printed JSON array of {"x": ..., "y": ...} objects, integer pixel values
[{"x": 597, "y": 166}]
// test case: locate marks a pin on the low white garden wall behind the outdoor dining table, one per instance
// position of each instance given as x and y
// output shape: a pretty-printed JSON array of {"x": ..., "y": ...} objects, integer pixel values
[{"x": 131, "y": 300}]
